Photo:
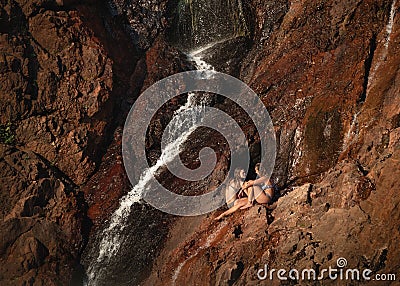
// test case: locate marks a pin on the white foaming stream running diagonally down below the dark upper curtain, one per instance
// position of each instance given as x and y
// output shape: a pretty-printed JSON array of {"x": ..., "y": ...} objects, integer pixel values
[{"x": 112, "y": 235}]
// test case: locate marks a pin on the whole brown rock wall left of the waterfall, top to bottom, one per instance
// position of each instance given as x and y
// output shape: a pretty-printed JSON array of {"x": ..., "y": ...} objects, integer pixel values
[{"x": 60, "y": 86}]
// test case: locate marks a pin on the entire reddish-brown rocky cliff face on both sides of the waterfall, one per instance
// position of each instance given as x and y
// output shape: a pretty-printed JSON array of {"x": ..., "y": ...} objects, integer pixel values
[{"x": 328, "y": 72}]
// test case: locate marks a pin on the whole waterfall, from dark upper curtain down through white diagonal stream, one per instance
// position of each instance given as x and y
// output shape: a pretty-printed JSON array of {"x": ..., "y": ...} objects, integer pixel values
[{"x": 200, "y": 25}]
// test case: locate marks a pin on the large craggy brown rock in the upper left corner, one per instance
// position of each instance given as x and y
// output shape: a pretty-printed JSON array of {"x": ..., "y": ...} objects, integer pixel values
[{"x": 58, "y": 79}]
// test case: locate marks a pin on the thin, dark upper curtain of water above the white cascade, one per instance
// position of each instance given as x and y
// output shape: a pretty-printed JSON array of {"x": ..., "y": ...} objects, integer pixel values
[{"x": 199, "y": 23}]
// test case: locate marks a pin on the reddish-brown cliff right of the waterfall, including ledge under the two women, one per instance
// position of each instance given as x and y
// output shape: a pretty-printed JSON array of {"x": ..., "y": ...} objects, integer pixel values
[{"x": 328, "y": 73}]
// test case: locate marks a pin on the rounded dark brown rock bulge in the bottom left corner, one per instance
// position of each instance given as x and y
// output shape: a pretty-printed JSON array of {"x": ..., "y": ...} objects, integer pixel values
[{"x": 42, "y": 220}]
